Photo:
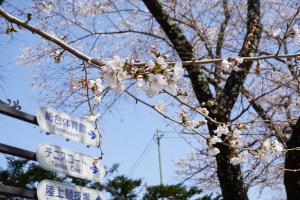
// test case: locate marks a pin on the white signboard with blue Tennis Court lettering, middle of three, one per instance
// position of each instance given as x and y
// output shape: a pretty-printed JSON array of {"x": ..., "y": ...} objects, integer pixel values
[{"x": 75, "y": 164}]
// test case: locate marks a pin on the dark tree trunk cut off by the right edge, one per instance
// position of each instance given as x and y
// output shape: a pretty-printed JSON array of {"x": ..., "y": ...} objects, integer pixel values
[{"x": 292, "y": 161}]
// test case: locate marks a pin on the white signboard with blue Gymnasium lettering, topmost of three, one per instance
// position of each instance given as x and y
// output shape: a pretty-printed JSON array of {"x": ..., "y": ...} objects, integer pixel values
[{"x": 72, "y": 128}]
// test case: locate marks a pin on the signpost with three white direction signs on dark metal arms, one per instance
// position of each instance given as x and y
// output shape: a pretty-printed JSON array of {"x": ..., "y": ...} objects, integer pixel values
[{"x": 56, "y": 158}]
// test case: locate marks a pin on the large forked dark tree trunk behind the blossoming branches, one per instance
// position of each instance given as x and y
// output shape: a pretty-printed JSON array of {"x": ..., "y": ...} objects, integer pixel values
[{"x": 230, "y": 177}]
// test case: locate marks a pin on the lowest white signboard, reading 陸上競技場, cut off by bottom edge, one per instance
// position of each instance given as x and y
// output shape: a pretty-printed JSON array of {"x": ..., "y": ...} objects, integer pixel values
[{"x": 52, "y": 190}]
